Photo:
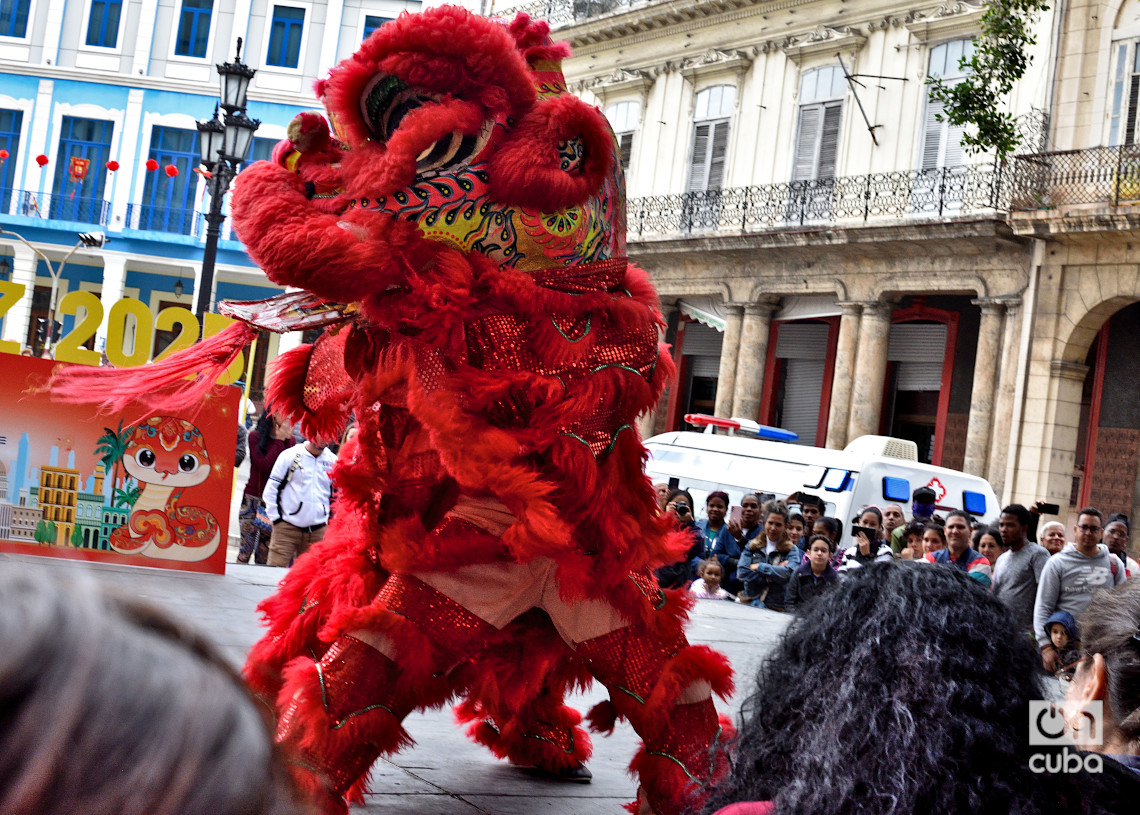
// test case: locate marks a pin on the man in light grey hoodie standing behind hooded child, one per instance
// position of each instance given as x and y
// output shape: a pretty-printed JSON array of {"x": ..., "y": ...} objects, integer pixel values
[{"x": 1071, "y": 577}]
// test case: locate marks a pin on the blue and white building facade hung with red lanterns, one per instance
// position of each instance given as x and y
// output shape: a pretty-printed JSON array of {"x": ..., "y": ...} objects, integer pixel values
[{"x": 91, "y": 91}]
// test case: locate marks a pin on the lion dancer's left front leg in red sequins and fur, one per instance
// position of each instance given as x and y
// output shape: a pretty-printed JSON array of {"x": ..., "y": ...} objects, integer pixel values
[{"x": 344, "y": 712}]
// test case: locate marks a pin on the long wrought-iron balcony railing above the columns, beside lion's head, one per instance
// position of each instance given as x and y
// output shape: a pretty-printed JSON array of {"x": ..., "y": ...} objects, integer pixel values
[{"x": 851, "y": 200}]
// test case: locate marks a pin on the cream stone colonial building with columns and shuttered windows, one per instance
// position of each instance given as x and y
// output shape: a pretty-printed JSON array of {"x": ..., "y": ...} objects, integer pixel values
[{"x": 833, "y": 262}]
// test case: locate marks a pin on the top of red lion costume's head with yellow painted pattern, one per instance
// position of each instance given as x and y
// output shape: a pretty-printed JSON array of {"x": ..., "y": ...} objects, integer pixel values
[{"x": 465, "y": 127}]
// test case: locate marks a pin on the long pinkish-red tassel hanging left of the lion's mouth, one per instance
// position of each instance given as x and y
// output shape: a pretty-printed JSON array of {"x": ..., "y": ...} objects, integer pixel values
[{"x": 150, "y": 385}]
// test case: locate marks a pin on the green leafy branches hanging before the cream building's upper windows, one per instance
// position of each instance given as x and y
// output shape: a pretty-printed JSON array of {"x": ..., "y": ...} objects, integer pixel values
[{"x": 1000, "y": 59}]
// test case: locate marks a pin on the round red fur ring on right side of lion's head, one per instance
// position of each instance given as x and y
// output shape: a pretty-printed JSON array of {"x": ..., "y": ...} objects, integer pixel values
[{"x": 527, "y": 172}]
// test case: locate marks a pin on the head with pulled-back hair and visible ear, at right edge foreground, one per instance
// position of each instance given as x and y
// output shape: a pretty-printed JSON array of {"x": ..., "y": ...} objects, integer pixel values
[{"x": 1110, "y": 669}]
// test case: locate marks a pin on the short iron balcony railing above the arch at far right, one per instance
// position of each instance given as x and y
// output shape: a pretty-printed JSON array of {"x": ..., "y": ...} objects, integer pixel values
[{"x": 1108, "y": 176}]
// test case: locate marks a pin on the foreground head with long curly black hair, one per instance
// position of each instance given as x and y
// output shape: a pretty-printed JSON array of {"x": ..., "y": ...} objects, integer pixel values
[{"x": 892, "y": 696}]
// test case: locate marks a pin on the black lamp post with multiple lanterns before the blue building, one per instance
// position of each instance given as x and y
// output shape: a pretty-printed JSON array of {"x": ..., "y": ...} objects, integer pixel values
[{"x": 224, "y": 144}]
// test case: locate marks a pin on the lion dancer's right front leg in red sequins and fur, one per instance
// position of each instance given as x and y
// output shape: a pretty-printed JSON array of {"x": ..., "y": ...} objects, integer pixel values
[{"x": 664, "y": 687}]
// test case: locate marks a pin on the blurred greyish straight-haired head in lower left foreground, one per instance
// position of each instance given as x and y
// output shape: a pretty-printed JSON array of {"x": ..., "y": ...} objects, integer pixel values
[{"x": 110, "y": 708}]
